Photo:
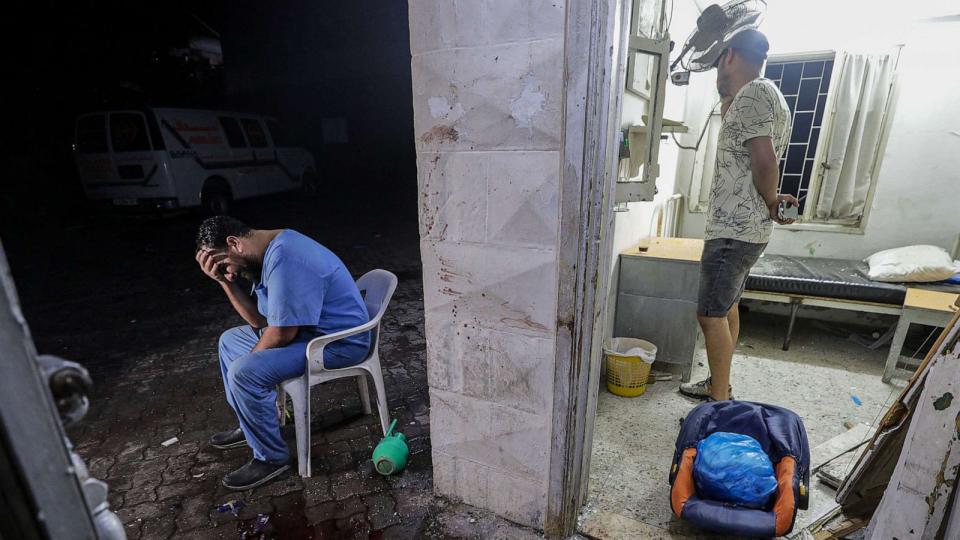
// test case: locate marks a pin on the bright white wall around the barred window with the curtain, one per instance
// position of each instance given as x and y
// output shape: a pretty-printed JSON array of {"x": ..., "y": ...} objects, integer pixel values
[{"x": 919, "y": 172}]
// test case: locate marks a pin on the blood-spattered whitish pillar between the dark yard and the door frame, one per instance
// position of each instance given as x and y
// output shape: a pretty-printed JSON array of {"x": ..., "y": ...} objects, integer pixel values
[{"x": 488, "y": 103}]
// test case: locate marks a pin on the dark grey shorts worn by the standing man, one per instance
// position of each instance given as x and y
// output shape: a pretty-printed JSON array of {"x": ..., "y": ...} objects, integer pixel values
[{"x": 724, "y": 267}]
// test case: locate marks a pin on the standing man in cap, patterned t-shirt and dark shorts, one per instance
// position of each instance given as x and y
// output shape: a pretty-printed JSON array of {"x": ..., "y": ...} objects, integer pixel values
[{"x": 744, "y": 201}]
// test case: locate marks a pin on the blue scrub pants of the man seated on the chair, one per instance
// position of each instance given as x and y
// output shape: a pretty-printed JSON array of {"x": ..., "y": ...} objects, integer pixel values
[{"x": 250, "y": 381}]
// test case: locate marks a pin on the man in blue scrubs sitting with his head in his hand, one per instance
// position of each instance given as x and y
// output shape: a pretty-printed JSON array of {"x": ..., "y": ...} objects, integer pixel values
[{"x": 301, "y": 291}]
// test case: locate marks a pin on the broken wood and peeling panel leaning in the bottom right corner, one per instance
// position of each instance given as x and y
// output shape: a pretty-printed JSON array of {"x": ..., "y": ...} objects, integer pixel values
[{"x": 903, "y": 484}]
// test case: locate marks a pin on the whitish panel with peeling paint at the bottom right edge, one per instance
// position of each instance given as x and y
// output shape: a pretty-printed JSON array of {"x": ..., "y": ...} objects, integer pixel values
[{"x": 916, "y": 500}]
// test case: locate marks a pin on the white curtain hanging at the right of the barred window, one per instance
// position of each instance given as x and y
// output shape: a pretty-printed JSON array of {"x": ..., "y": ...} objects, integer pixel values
[{"x": 862, "y": 88}]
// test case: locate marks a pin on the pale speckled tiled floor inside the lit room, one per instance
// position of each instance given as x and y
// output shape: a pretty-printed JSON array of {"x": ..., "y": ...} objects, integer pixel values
[{"x": 634, "y": 437}]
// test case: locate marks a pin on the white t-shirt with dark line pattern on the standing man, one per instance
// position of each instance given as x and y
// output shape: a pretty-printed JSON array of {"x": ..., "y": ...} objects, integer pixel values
[{"x": 736, "y": 209}]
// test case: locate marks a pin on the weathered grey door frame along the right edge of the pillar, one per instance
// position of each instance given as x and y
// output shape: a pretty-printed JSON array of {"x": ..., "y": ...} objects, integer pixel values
[{"x": 594, "y": 55}]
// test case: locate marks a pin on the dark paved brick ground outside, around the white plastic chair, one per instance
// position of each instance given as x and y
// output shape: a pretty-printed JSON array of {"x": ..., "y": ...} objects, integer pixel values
[{"x": 124, "y": 297}]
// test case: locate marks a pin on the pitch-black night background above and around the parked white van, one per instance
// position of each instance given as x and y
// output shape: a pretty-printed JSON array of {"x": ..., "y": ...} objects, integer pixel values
[{"x": 302, "y": 62}]
